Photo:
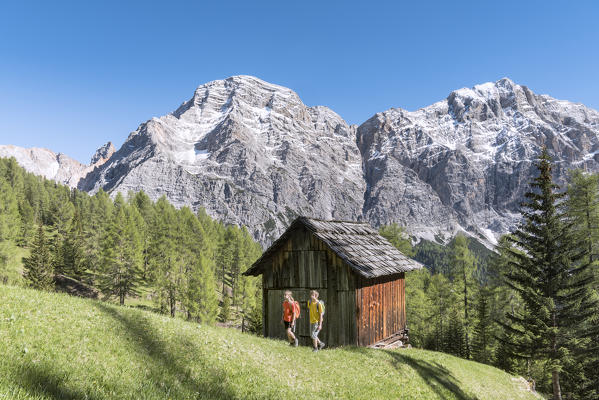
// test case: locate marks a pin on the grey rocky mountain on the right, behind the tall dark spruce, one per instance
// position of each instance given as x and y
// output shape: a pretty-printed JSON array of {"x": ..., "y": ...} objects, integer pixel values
[{"x": 465, "y": 162}]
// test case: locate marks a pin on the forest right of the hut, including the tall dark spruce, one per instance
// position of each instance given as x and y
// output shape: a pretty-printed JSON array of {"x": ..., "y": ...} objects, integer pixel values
[{"x": 531, "y": 306}]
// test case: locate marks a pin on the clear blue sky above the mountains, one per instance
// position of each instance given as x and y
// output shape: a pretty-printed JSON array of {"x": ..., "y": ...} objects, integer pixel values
[{"x": 74, "y": 75}]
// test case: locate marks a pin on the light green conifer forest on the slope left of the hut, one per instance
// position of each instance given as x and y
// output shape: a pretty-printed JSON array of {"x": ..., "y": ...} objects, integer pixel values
[{"x": 129, "y": 249}]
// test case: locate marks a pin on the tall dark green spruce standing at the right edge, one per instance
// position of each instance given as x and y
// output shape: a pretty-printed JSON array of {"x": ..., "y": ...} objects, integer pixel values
[{"x": 551, "y": 278}]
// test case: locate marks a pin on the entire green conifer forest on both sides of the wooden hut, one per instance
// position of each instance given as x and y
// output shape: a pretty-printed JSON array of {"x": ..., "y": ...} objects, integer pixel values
[{"x": 529, "y": 307}]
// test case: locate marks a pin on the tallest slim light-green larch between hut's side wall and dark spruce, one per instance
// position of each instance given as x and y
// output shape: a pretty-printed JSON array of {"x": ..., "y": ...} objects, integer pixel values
[{"x": 463, "y": 268}]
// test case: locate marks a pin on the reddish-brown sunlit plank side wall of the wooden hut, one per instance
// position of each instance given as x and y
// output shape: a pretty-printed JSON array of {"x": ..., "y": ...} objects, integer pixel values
[{"x": 381, "y": 307}]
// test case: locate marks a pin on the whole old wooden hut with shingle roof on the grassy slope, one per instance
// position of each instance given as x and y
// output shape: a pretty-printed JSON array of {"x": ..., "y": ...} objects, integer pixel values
[{"x": 359, "y": 275}]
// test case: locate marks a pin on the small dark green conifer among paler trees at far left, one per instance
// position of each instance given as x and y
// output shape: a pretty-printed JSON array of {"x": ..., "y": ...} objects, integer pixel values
[{"x": 38, "y": 266}]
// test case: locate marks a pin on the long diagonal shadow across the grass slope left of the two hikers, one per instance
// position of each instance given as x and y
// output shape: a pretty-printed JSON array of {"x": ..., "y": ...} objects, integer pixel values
[{"x": 167, "y": 371}]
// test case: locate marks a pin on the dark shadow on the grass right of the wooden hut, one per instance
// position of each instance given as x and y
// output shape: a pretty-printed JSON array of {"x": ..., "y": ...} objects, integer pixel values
[{"x": 436, "y": 376}]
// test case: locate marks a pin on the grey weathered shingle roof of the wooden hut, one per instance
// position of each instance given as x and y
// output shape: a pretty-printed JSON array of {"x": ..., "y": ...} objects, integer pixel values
[{"x": 357, "y": 243}]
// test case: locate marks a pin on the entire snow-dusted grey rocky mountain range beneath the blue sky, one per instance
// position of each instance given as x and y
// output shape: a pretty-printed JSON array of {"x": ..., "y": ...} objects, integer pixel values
[{"x": 252, "y": 153}]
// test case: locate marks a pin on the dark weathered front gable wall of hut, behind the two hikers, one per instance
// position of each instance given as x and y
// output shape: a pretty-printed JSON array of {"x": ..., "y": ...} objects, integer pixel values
[{"x": 304, "y": 263}]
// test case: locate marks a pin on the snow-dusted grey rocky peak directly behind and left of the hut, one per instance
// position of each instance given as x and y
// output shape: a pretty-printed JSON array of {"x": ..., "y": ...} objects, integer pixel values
[{"x": 249, "y": 152}]
